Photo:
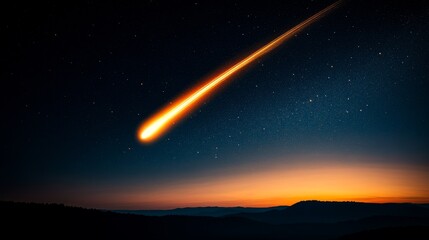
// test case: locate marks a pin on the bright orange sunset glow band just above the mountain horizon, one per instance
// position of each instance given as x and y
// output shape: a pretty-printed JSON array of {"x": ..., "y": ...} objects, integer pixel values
[{"x": 287, "y": 183}]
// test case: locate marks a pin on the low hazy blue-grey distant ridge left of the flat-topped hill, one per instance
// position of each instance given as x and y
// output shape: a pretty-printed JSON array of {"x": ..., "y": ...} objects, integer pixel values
[{"x": 201, "y": 211}]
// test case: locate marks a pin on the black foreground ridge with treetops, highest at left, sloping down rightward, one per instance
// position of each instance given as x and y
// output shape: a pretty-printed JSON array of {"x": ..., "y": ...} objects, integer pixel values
[{"x": 52, "y": 221}]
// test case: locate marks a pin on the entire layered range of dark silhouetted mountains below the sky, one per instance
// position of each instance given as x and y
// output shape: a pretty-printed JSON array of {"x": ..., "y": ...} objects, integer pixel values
[{"x": 304, "y": 220}]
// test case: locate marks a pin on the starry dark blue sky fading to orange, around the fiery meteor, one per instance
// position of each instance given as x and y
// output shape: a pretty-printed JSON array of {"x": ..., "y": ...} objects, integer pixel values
[{"x": 338, "y": 112}]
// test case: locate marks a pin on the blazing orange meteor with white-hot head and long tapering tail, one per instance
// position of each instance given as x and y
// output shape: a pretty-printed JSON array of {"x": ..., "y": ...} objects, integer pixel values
[{"x": 164, "y": 119}]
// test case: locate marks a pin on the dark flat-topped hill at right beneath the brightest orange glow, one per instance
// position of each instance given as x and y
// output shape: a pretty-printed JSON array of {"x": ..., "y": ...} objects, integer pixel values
[{"x": 330, "y": 212}]
